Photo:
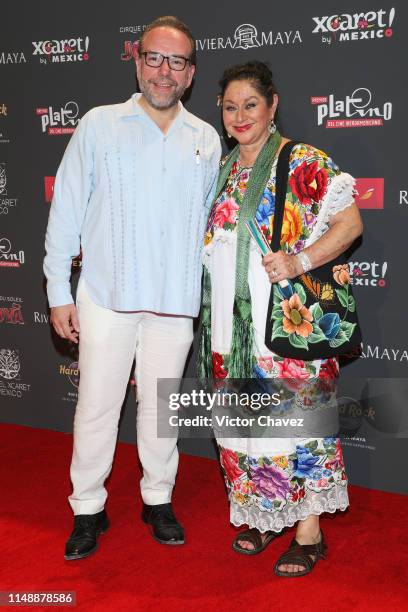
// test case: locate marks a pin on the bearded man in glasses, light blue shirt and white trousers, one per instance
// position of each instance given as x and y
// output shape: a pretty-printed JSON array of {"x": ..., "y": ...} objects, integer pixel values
[{"x": 132, "y": 191}]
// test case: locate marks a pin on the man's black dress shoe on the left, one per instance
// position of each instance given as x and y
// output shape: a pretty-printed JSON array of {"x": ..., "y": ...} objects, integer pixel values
[{"x": 83, "y": 540}]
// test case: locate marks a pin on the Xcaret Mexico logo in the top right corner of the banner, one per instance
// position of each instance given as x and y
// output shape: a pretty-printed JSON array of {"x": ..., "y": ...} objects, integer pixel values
[{"x": 357, "y": 26}]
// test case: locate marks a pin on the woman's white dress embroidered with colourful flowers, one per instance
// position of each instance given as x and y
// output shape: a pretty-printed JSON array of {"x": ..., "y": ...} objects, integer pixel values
[{"x": 274, "y": 482}]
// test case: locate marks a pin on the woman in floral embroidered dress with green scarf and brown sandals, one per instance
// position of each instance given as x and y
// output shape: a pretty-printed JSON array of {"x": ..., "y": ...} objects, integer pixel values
[{"x": 272, "y": 483}]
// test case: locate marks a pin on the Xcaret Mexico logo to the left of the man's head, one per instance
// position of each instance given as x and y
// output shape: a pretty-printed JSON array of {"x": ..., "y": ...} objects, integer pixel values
[{"x": 66, "y": 50}]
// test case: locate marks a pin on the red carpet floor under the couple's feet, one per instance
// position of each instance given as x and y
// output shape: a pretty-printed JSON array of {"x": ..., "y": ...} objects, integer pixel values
[{"x": 366, "y": 568}]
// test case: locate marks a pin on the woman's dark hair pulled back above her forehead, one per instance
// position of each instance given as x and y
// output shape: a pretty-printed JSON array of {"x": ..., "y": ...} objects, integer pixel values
[{"x": 258, "y": 73}]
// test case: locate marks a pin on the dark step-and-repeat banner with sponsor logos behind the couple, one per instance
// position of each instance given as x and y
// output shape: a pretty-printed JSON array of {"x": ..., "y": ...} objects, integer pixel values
[{"x": 343, "y": 88}]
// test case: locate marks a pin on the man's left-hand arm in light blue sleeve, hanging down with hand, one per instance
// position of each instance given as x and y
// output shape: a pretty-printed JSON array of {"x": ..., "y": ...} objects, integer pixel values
[{"x": 72, "y": 190}]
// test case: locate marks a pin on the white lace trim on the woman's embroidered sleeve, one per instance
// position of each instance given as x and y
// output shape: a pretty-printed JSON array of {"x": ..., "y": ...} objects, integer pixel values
[{"x": 338, "y": 197}]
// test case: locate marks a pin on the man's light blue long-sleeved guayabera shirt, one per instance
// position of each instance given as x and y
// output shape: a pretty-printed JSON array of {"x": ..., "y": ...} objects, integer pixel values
[{"x": 136, "y": 200}]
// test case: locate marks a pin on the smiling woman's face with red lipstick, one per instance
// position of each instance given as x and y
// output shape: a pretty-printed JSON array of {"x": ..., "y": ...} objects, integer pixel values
[{"x": 246, "y": 114}]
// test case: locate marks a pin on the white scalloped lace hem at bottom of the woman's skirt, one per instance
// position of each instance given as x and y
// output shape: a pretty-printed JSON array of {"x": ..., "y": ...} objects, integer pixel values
[{"x": 330, "y": 500}]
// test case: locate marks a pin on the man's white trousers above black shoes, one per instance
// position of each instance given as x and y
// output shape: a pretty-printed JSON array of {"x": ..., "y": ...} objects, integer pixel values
[{"x": 109, "y": 341}]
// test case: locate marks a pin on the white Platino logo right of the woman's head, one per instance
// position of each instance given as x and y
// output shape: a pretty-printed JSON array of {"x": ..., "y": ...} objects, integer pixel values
[{"x": 356, "y": 110}]
